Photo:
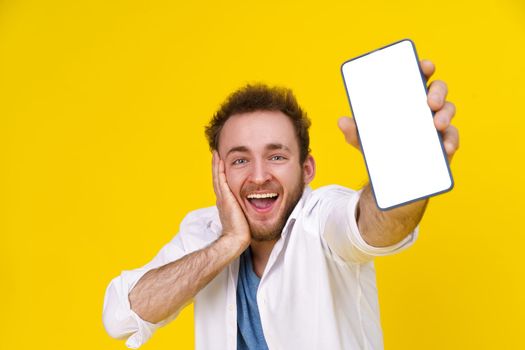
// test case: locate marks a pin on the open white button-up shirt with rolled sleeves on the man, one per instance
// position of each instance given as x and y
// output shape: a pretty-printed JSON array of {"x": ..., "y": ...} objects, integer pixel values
[{"x": 318, "y": 290}]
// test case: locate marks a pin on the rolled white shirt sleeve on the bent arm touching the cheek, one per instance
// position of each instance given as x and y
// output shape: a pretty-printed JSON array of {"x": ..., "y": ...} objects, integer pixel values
[{"x": 119, "y": 320}]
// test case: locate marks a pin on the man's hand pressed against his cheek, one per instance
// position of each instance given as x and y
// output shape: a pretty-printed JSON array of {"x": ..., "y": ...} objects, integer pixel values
[{"x": 234, "y": 223}]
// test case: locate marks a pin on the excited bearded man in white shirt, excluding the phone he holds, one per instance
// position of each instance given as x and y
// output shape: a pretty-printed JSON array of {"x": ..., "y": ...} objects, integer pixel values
[{"x": 274, "y": 264}]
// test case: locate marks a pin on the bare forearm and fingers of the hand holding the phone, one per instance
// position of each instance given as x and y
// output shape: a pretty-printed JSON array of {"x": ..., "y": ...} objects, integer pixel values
[{"x": 383, "y": 228}]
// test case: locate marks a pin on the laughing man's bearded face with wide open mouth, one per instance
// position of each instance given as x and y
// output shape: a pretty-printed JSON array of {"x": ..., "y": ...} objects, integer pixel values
[{"x": 261, "y": 157}]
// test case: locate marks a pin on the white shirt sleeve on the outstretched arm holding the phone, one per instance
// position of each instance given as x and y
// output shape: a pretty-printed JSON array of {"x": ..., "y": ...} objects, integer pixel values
[{"x": 341, "y": 232}]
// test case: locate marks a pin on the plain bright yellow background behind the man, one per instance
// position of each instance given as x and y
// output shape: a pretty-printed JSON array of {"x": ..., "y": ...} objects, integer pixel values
[{"x": 102, "y": 108}]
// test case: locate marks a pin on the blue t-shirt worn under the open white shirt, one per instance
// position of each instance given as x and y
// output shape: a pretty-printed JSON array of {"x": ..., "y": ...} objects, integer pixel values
[{"x": 249, "y": 330}]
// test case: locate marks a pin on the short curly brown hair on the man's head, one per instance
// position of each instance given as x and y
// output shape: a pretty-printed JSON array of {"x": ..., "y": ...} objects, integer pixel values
[{"x": 261, "y": 97}]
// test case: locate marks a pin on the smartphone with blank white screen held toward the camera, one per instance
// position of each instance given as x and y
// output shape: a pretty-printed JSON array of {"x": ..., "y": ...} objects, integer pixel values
[{"x": 403, "y": 150}]
